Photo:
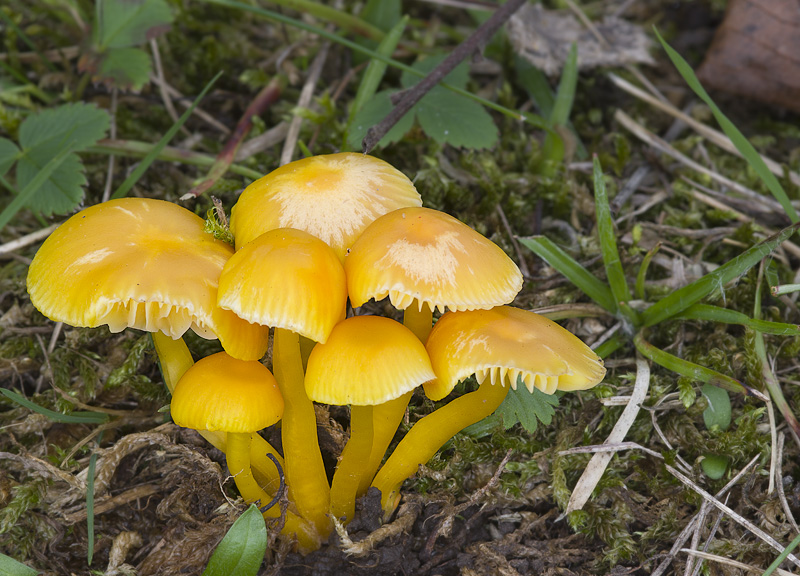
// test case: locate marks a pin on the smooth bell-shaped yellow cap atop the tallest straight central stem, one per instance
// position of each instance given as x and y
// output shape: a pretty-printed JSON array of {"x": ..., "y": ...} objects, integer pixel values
[{"x": 288, "y": 279}]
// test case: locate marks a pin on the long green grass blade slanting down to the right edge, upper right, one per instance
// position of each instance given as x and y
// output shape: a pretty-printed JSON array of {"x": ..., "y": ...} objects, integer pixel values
[{"x": 742, "y": 144}]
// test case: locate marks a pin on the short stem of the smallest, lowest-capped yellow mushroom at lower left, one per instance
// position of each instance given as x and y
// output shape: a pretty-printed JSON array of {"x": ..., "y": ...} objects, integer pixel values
[{"x": 238, "y": 458}]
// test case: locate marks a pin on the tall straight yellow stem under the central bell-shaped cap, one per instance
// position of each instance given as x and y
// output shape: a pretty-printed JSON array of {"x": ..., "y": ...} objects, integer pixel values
[{"x": 304, "y": 470}]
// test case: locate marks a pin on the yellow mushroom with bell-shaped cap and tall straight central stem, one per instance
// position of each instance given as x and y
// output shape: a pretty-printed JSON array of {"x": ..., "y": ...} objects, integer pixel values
[{"x": 293, "y": 282}]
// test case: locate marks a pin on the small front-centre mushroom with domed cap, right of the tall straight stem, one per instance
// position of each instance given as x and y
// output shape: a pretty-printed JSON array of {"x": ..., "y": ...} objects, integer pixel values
[{"x": 367, "y": 361}]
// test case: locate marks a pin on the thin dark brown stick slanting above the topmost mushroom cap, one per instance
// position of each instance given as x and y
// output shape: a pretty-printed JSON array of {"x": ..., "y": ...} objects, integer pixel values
[{"x": 413, "y": 95}]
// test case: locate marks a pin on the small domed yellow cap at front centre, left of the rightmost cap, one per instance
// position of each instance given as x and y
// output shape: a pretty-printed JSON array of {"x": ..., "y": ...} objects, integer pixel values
[{"x": 367, "y": 360}]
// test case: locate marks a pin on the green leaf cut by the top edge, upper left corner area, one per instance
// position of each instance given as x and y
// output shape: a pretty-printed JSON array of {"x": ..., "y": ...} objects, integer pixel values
[{"x": 125, "y": 23}]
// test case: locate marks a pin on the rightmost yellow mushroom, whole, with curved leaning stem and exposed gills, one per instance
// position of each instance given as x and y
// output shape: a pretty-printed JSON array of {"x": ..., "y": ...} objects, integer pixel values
[{"x": 501, "y": 346}]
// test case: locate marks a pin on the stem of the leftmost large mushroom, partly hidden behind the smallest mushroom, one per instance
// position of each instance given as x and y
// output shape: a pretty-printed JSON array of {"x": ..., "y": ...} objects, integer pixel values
[{"x": 175, "y": 359}]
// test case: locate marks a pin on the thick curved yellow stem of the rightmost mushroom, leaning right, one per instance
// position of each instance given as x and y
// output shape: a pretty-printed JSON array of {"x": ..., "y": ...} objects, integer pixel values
[{"x": 429, "y": 434}]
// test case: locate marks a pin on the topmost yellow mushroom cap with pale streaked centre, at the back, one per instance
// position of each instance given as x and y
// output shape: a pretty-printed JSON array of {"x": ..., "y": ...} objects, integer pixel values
[{"x": 334, "y": 197}]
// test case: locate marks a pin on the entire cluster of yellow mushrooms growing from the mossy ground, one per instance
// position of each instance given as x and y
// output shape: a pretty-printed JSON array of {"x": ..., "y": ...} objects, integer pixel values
[{"x": 309, "y": 236}]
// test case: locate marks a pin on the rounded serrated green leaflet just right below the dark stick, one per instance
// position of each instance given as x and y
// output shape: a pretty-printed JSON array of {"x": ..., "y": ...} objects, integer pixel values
[{"x": 452, "y": 119}]
